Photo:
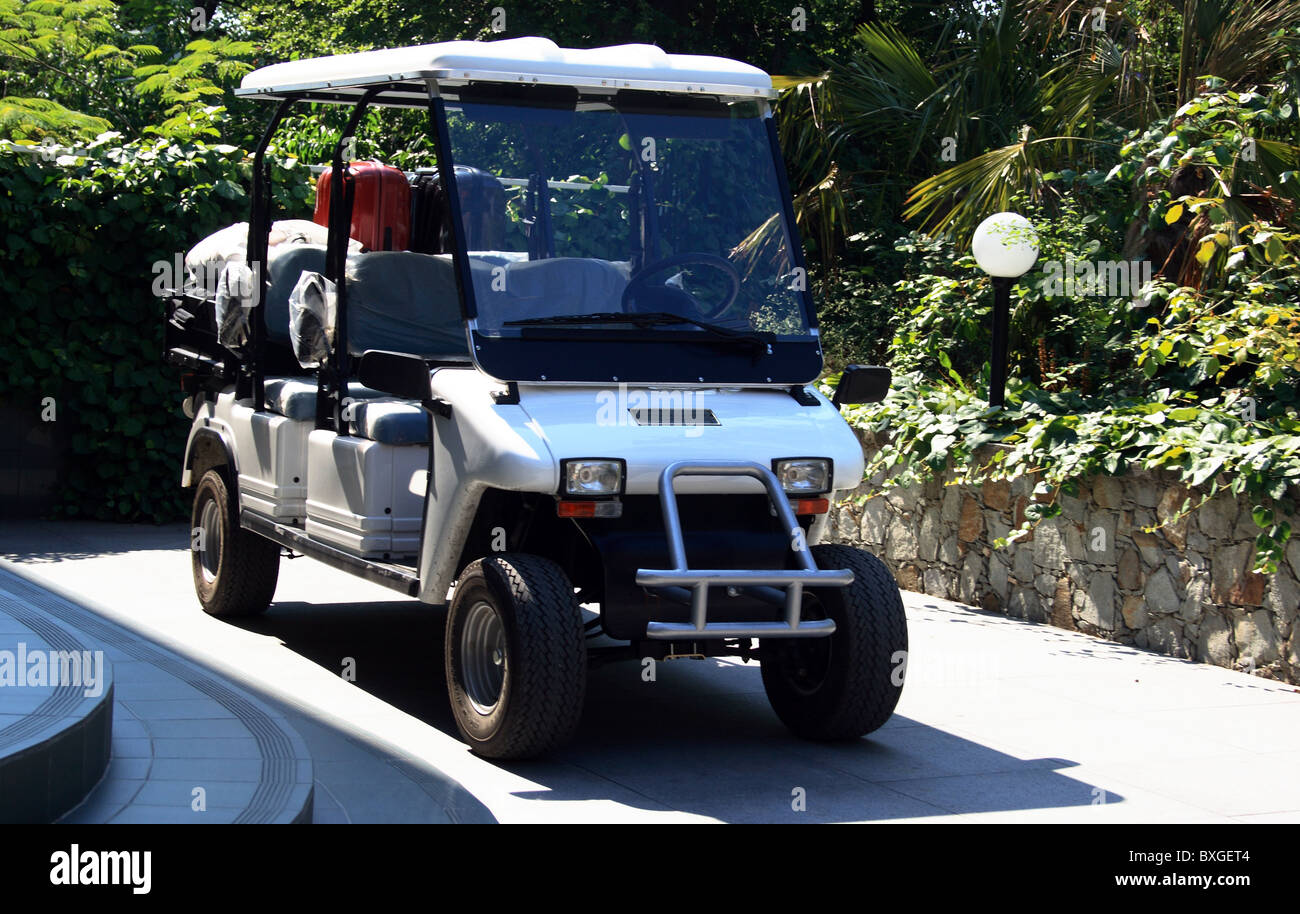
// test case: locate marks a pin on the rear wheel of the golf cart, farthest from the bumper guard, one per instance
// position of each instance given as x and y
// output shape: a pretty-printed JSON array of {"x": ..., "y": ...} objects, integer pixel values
[{"x": 235, "y": 577}]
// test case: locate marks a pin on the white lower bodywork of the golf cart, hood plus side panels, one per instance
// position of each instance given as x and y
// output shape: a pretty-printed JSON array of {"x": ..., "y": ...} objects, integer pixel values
[{"x": 369, "y": 499}]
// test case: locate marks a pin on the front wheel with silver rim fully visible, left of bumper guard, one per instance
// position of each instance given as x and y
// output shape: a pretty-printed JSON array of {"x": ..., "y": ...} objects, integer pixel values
[{"x": 539, "y": 682}]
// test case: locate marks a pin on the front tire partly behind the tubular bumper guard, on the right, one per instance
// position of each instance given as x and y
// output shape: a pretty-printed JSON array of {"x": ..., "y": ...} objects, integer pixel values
[{"x": 848, "y": 685}]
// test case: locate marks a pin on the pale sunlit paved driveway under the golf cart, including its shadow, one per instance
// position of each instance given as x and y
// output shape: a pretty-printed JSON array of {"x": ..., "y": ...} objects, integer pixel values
[{"x": 1000, "y": 720}]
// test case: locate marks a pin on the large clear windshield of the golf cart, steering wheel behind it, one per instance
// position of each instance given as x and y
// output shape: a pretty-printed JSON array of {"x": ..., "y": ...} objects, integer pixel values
[{"x": 625, "y": 206}]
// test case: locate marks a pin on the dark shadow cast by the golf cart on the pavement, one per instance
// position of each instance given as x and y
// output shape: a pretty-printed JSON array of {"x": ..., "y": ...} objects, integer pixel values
[{"x": 699, "y": 739}]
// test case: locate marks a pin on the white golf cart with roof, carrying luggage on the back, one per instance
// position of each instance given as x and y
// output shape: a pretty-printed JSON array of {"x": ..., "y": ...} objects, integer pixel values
[{"x": 560, "y": 384}]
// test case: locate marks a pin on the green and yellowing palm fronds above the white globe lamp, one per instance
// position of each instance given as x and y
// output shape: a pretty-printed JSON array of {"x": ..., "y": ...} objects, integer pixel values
[{"x": 1016, "y": 94}]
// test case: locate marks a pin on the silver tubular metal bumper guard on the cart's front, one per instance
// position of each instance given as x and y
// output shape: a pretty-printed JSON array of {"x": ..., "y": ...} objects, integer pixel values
[{"x": 682, "y": 582}]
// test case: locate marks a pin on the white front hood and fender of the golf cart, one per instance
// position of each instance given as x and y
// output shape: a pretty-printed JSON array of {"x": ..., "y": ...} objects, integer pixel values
[{"x": 521, "y": 448}]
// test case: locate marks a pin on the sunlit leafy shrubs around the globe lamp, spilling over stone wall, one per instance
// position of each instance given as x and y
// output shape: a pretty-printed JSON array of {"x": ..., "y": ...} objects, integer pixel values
[{"x": 1195, "y": 375}]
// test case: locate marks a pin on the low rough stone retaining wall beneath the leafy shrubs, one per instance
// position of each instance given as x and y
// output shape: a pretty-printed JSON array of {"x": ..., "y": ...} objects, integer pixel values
[{"x": 1186, "y": 590}]
